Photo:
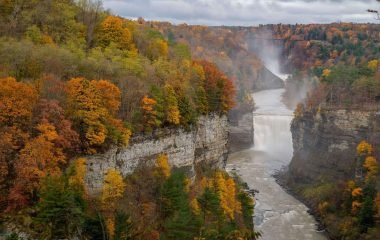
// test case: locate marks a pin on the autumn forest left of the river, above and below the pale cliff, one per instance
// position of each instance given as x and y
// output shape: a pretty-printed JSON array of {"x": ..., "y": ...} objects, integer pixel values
[{"x": 76, "y": 80}]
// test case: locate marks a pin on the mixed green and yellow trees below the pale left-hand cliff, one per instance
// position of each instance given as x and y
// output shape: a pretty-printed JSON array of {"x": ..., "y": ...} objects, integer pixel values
[{"x": 152, "y": 203}]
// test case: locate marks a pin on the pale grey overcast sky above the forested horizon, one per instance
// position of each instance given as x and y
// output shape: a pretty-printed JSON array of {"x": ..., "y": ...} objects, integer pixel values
[{"x": 245, "y": 12}]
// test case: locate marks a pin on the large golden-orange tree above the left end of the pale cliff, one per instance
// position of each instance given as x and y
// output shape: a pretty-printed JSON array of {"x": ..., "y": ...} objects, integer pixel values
[{"x": 93, "y": 106}]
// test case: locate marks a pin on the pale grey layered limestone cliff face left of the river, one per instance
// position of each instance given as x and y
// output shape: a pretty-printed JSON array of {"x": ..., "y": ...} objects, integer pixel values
[{"x": 203, "y": 145}]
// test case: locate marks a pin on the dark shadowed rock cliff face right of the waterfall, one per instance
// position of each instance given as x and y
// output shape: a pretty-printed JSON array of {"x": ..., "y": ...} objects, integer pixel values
[{"x": 325, "y": 142}]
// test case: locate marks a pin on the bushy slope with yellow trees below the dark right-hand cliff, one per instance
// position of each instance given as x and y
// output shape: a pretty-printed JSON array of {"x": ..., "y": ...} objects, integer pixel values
[{"x": 349, "y": 209}]
